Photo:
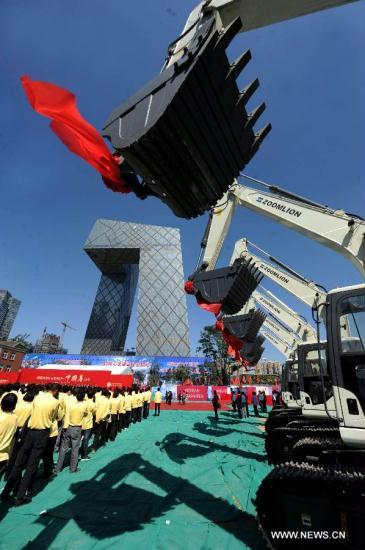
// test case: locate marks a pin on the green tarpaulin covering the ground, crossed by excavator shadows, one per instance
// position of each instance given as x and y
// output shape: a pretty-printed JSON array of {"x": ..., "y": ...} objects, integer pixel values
[{"x": 177, "y": 481}]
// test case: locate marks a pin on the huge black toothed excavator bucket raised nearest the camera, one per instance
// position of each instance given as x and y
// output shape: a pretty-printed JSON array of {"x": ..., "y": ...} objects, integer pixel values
[{"x": 187, "y": 133}]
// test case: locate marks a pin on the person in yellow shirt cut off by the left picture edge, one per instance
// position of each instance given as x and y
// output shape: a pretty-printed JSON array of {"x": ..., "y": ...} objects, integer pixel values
[{"x": 8, "y": 425}]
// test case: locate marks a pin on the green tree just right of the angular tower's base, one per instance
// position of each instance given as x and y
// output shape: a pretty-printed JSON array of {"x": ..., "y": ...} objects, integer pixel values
[{"x": 214, "y": 348}]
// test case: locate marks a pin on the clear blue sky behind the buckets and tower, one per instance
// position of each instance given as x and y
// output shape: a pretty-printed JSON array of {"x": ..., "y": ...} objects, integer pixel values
[{"x": 312, "y": 78}]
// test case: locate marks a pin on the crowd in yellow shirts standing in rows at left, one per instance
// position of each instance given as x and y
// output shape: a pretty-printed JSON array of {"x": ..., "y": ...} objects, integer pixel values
[{"x": 37, "y": 422}]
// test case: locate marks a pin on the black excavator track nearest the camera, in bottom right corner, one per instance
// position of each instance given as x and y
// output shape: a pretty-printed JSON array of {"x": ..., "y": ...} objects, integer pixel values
[{"x": 313, "y": 505}]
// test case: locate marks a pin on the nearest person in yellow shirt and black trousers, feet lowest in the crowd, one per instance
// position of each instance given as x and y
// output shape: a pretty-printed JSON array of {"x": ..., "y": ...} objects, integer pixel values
[{"x": 44, "y": 412}]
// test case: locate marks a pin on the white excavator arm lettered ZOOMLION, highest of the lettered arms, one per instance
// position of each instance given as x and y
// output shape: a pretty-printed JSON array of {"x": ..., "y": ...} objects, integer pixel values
[{"x": 336, "y": 229}]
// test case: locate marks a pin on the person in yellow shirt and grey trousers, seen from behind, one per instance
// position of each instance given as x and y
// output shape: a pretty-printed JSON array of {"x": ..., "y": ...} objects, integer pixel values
[{"x": 75, "y": 413}]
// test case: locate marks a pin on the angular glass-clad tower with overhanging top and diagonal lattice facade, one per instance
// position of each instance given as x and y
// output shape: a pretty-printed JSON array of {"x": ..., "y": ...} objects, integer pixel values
[{"x": 131, "y": 255}]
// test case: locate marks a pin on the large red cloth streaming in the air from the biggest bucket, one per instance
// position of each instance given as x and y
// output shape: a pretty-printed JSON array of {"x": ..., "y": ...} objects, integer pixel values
[{"x": 74, "y": 131}]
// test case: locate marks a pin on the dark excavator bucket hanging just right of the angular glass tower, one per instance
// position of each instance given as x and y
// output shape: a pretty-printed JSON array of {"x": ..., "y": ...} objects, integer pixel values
[{"x": 231, "y": 286}]
